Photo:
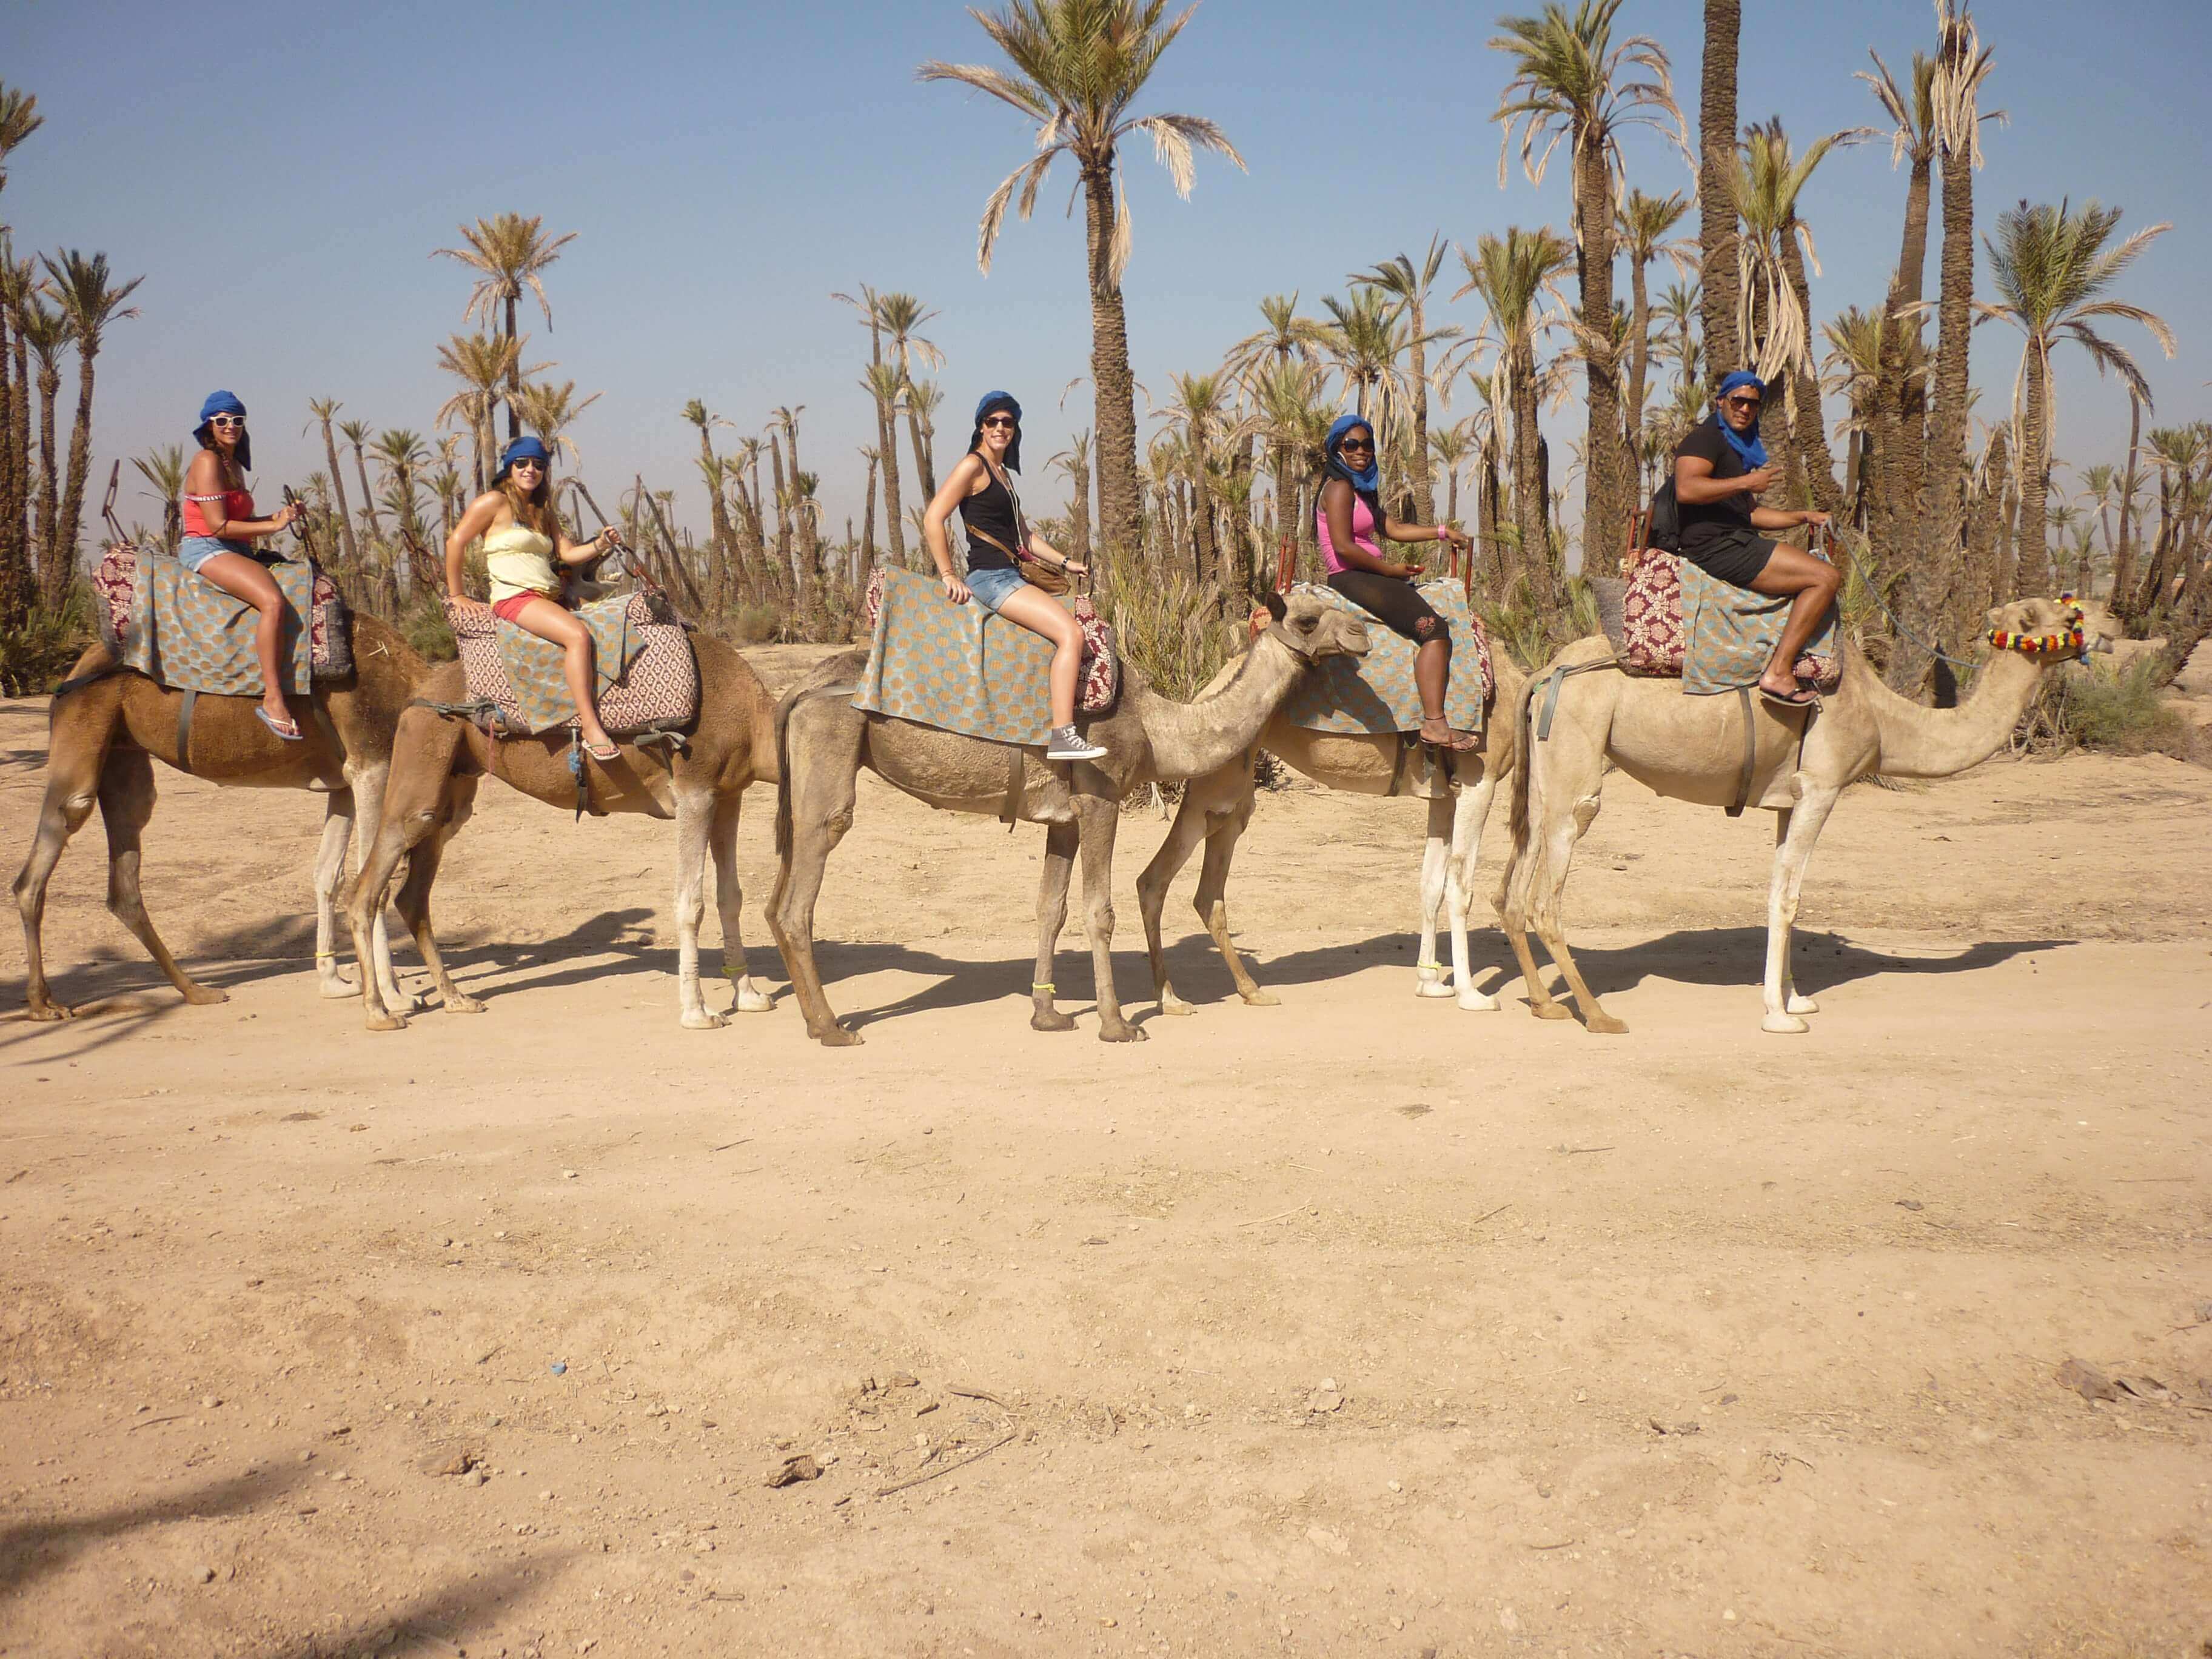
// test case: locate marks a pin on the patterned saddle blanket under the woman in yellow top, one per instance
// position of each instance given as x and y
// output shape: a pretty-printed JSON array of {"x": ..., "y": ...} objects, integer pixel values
[{"x": 647, "y": 674}]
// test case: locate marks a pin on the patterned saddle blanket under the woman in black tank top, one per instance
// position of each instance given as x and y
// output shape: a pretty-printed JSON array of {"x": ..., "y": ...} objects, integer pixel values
[{"x": 961, "y": 669}]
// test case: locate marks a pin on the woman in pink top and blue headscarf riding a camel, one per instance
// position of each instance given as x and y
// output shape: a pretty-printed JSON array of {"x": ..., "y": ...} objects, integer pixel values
[{"x": 1348, "y": 521}]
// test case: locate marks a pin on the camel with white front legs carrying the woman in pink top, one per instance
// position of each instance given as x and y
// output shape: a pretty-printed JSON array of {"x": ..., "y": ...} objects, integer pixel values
[{"x": 1215, "y": 808}]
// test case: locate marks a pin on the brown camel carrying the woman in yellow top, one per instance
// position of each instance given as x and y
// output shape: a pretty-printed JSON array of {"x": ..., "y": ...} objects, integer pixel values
[{"x": 437, "y": 762}]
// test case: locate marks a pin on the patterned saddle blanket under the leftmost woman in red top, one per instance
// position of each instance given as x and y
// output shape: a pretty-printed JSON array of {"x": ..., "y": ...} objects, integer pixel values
[{"x": 182, "y": 632}]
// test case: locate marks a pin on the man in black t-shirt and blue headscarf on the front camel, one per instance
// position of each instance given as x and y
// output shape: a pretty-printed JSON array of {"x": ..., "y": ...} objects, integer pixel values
[{"x": 1720, "y": 474}]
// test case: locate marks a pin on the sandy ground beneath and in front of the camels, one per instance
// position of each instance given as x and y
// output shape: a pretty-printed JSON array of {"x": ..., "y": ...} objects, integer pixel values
[{"x": 1348, "y": 1326}]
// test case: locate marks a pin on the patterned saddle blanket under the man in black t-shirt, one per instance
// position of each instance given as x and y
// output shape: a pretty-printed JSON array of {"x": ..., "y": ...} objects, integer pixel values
[{"x": 1669, "y": 620}]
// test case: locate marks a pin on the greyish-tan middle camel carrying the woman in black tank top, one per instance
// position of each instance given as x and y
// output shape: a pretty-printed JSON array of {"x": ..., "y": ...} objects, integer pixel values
[{"x": 824, "y": 742}]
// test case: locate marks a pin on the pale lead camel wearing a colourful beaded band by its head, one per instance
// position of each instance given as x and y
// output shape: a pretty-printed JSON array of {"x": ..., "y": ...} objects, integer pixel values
[{"x": 1691, "y": 749}]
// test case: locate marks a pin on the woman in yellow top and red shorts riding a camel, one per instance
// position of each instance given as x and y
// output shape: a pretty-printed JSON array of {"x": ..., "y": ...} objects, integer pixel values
[{"x": 523, "y": 536}]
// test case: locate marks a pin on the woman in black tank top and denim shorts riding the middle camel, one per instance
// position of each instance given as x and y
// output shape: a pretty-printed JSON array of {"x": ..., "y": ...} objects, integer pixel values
[{"x": 999, "y": 539}]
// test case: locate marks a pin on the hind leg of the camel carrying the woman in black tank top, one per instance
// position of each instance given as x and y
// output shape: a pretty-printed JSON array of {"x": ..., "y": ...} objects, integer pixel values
[{"x": 820, "y": 775}]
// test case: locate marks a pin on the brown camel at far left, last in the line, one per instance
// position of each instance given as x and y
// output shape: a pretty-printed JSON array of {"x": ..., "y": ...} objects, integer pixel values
[{"x": 105, "y": 738}]
